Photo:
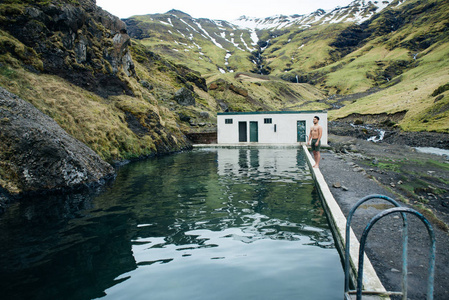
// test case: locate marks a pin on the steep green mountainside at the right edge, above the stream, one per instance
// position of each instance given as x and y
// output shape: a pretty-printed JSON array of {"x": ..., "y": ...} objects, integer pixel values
[{"x": 410, "y": 64}]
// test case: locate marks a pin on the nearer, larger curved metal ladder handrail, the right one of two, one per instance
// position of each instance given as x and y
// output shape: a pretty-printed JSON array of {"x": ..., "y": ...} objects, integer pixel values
[{"x": 376, "y": 218}]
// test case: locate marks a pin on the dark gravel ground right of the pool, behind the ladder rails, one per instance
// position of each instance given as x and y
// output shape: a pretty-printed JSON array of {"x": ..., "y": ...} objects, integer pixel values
[{"x": 355, "y": 168}]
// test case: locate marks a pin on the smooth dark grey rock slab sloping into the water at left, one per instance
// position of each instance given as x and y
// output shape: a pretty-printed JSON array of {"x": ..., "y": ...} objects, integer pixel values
[{"x": 37, "y": 155}]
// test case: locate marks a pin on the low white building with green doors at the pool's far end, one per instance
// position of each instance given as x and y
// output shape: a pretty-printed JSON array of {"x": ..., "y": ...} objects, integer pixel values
[{"x": 271, "y": 127}]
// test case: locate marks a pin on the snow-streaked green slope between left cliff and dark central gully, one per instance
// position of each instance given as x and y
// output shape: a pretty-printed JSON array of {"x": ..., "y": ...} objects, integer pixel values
[{"x": 200, "y": 44}]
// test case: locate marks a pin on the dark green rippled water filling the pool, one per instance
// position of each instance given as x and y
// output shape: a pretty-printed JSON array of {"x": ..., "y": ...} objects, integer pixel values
[{"x": 205, "y": 224}]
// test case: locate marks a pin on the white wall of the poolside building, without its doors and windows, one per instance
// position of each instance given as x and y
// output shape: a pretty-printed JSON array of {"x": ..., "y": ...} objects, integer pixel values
[{"x": 286, "y": 127}]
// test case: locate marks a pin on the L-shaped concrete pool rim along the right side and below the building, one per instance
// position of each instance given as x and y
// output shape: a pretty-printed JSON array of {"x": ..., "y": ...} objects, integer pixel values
[{"x": 337, "y": 220}]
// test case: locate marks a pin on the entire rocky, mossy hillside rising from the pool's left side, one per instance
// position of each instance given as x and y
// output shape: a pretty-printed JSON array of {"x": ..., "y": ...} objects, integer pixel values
[{"x": 89, "y": 48}]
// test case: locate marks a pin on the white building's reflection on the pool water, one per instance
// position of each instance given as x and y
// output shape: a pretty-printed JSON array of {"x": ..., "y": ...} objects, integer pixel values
[{"x": 279, "y": 163}]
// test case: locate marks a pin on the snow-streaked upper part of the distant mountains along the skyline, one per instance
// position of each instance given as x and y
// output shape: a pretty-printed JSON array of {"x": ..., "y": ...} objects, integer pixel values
[{"x": 244, "y": 33}]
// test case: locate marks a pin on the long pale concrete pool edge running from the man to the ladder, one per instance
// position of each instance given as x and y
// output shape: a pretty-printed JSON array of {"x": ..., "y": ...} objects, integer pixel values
[{"x": 337, "y": 220}]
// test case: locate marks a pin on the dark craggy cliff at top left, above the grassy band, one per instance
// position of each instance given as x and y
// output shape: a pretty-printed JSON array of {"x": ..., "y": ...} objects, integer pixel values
[{"x": 79, "y": 42}]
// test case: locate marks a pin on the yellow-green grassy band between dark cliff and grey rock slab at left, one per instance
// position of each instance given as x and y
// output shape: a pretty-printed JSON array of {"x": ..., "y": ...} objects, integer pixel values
[{"x": 100, "y": 123}]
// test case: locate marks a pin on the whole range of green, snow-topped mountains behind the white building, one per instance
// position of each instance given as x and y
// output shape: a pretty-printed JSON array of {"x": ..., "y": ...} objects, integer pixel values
[{"x": 381, "y": 51}]
